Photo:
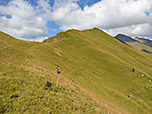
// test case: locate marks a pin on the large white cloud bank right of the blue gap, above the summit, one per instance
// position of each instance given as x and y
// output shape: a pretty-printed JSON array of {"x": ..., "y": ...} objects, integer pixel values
[{"x": 110, "y": 15}]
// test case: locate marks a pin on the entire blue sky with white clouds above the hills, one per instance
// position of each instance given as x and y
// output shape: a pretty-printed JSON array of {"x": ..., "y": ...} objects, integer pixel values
[{"x": 39, "y": 19}]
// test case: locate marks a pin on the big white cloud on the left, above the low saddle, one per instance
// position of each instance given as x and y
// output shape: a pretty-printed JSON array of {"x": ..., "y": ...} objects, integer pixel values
[{"x": 24, "y": 21}]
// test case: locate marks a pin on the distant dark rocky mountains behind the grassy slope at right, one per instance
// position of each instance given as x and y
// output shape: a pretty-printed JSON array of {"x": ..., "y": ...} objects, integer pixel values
[{"x": 139, "y": 43}]
